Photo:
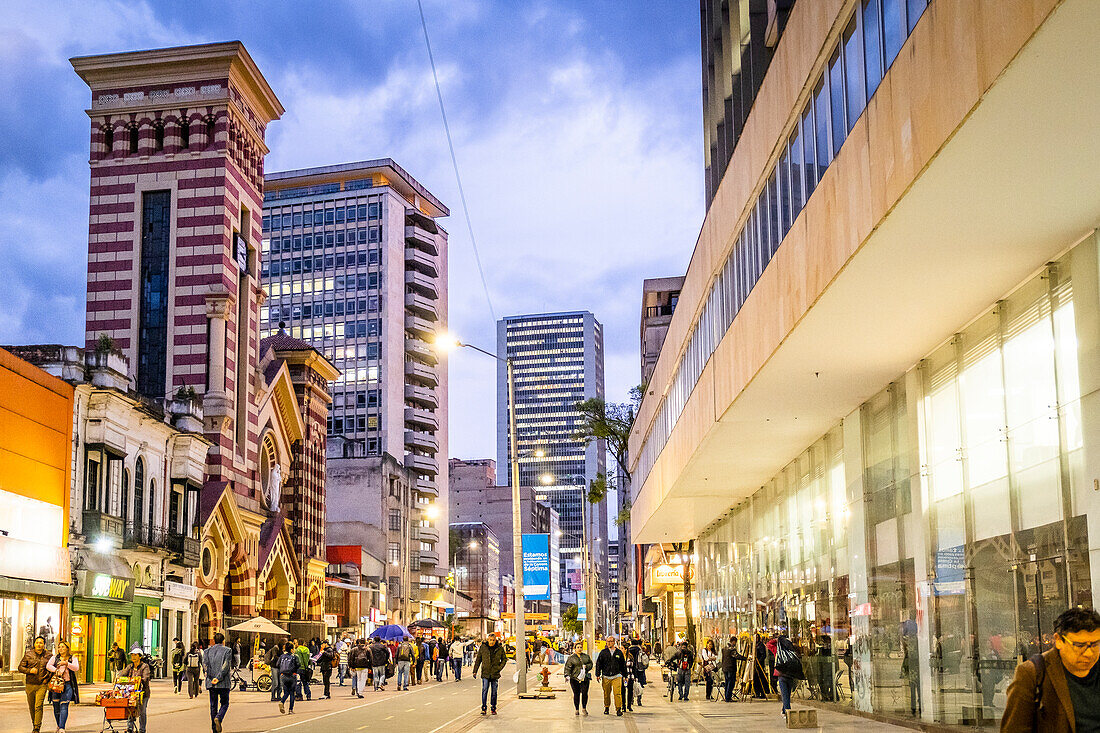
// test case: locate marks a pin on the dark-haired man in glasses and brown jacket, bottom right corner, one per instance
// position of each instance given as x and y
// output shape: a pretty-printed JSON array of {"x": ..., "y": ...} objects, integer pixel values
[{"x": 1059, "y": 692}]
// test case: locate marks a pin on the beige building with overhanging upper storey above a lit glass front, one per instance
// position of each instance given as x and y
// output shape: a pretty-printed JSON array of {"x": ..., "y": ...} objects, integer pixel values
[{"x": 876, "y": 410}]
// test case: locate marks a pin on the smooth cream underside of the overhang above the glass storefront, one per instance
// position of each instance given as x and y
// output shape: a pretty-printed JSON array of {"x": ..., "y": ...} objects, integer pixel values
[{"x": 1017, "y": 184}]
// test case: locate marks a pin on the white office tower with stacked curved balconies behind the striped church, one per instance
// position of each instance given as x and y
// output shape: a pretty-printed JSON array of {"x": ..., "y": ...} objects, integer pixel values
[{"x": 356, "y": 264}]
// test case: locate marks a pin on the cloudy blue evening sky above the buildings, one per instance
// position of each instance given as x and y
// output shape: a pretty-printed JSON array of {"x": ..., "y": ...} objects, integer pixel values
[{"x": 577, "y": 126}]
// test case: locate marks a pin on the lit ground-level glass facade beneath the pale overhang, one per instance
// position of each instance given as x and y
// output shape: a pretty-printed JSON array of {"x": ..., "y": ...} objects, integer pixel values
[{"x": 923, "y": 548}]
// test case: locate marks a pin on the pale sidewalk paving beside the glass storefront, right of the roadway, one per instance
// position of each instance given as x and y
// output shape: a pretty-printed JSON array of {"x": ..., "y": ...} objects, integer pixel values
[{"x": 657, "y": 716}]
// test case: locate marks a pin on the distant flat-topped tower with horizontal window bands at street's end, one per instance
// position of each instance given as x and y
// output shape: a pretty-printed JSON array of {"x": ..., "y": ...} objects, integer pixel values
[{"x": 558, "y": 362}]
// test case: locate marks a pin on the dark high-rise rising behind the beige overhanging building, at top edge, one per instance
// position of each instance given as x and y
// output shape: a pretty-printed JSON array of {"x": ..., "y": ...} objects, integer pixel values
[{"x": 739, "y": 38}]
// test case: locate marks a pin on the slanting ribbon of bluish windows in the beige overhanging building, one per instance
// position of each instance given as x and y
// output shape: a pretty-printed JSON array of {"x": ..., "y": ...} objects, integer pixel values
[{"x": 871, "y": 42}]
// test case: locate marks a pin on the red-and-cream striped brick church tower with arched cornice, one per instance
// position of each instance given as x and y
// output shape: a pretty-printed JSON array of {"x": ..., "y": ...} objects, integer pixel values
[{"x": 178, "y": 167}]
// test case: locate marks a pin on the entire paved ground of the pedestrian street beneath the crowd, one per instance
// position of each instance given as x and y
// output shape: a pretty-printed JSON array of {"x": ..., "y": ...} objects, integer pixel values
[{"x": 435, "y": 708}]
